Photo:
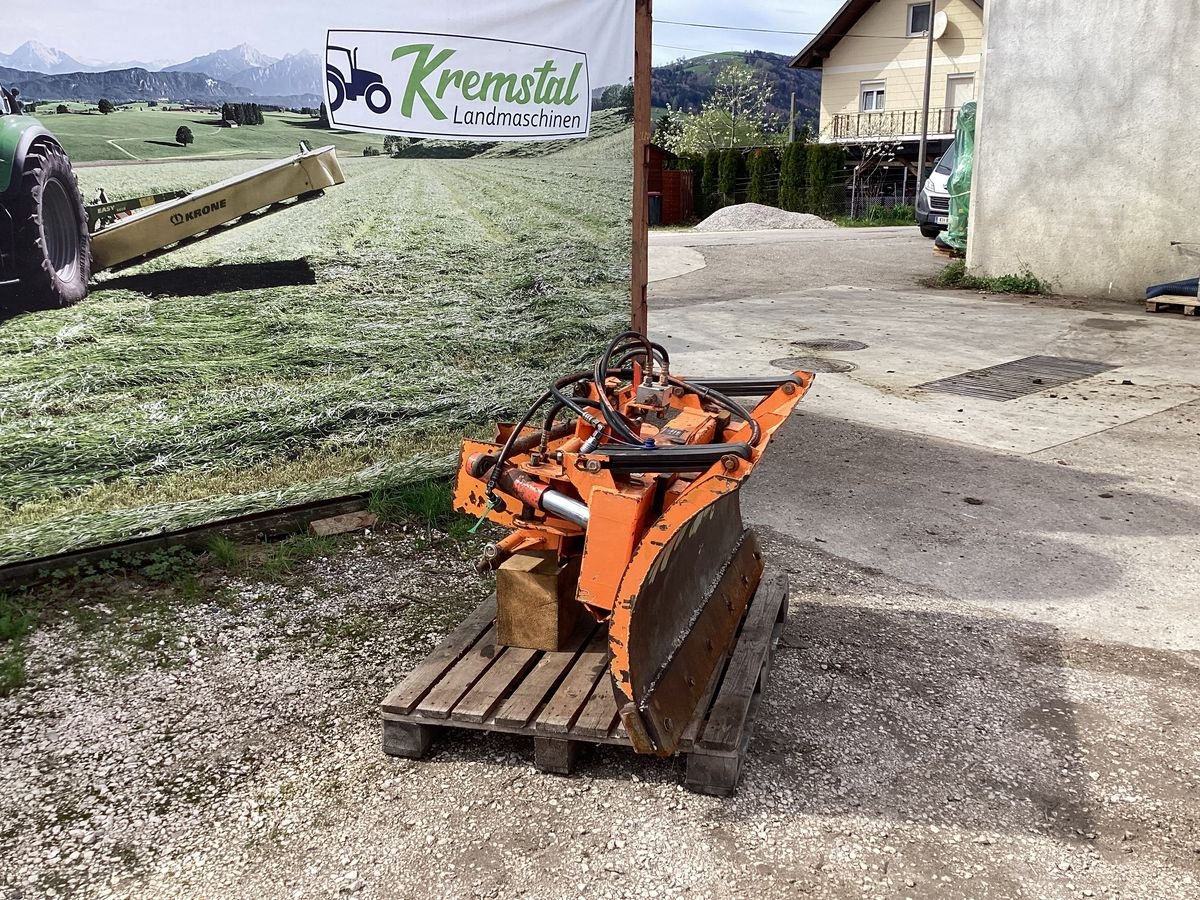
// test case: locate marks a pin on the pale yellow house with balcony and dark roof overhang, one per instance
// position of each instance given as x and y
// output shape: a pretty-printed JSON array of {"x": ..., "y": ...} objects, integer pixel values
[{"x": 872, "y": 58}]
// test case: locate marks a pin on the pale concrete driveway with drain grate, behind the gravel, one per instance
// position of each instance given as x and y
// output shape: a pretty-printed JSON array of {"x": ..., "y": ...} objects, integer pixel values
[{"x": 1089, "y": 506}]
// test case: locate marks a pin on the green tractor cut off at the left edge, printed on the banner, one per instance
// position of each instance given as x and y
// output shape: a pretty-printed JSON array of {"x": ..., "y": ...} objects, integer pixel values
[{"x": 45, "y": 243}]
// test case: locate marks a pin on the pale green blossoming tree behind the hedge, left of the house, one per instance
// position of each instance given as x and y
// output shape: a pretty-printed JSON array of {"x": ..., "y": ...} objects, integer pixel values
[{"x": 739, "y": 115}]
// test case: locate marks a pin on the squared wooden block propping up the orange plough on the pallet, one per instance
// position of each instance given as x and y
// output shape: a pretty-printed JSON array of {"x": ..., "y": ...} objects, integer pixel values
[{"x": 536, "y": 604}]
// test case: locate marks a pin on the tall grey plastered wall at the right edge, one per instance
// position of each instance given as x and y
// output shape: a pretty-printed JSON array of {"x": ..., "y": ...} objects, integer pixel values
[{"x": 1088, "y": 159}]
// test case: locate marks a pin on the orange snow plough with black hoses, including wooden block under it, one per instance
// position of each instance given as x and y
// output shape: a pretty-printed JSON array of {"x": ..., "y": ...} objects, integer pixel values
[{"x": 623, "y": 484}]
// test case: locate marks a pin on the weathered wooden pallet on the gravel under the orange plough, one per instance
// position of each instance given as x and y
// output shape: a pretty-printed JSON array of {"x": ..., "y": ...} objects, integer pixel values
[{"x": 563, "y": 700}]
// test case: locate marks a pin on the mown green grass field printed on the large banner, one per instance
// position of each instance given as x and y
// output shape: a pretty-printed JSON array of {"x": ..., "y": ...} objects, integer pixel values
[{"x": 325, "y": 351}]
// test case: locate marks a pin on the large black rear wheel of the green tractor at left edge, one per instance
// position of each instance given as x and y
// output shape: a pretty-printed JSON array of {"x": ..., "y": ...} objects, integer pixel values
[{"x": 52, "y": 242}]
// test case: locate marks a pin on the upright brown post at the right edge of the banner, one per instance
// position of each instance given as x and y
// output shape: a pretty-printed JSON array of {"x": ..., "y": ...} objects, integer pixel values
[{"x": 643, "y": 74}]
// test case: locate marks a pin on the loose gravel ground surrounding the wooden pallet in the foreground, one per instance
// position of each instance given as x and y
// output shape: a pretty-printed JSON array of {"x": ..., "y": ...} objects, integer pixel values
[{"x": 909, "y": 746}]
